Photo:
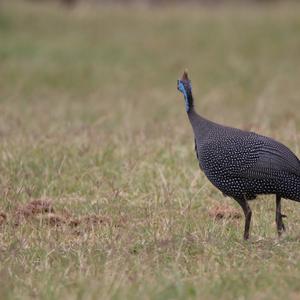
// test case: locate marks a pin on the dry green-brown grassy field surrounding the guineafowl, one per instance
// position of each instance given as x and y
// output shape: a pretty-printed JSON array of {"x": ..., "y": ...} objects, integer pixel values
[{"x": 95, "y": 136}]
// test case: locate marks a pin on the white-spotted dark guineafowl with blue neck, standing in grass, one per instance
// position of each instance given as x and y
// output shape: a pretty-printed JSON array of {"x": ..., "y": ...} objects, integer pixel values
[{"x": 242, "y": 164}]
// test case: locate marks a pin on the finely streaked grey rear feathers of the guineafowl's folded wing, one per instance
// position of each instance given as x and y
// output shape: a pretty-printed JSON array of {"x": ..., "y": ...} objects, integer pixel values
[{"x": 271, "y": 157}]
